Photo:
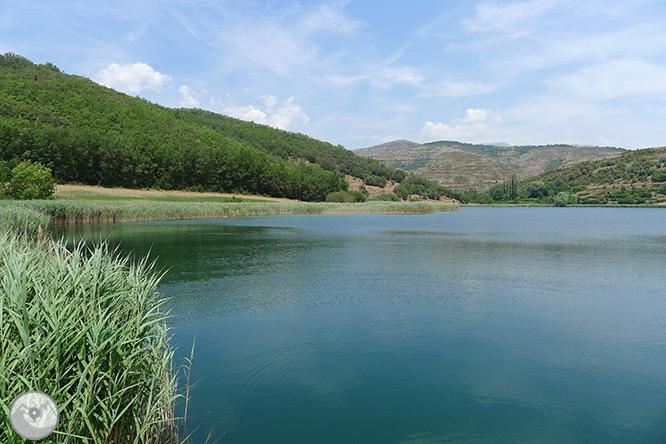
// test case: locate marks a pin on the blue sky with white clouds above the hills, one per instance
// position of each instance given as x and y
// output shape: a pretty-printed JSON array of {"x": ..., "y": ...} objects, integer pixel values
[{"x": 359, "y": 73}]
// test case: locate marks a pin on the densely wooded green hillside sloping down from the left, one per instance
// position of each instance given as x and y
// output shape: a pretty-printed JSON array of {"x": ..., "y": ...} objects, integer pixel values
[{"x": 90, "y": 134}]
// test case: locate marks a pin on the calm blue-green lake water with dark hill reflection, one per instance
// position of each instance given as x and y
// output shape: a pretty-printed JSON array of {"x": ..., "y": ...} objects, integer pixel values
[{"x": 488, "y": 325}]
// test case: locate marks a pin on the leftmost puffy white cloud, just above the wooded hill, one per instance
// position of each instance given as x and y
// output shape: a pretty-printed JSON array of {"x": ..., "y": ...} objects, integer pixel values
[{"x": 132, "y": 78}]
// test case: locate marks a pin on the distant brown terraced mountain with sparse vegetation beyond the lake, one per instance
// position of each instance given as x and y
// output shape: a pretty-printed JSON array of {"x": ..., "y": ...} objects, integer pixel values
[{"x": 464, "y": 166}]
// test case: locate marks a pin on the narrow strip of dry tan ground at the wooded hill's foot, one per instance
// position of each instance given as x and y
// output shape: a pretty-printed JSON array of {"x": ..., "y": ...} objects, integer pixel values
[{"x": 65, "y": 191}]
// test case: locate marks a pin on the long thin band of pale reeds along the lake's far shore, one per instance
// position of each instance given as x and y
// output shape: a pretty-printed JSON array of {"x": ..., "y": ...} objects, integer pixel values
[{"x": 82, "y": 211}]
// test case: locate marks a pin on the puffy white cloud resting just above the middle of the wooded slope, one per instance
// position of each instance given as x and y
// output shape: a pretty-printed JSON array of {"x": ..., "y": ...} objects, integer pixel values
[{"x": 283, "y": 116}]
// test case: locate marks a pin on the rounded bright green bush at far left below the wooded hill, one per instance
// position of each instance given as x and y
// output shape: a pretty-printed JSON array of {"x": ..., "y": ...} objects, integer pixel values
[{"x": 31, "y": 181}]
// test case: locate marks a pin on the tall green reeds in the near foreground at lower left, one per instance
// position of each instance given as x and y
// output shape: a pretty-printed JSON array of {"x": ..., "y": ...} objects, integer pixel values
[{"x": 86, "y": 327}]
